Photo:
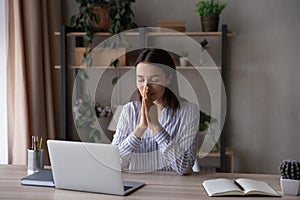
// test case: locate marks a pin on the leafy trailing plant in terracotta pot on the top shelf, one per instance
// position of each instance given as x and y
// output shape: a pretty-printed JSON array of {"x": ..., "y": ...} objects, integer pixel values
[{"x": 118, "y": 12}]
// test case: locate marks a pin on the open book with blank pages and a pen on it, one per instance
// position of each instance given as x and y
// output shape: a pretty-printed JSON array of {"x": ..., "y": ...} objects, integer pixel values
[{"x": 238, "y": 187}]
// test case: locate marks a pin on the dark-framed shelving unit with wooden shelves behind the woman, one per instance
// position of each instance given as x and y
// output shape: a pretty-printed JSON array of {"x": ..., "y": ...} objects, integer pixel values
[{"x": 71, "y": 32}]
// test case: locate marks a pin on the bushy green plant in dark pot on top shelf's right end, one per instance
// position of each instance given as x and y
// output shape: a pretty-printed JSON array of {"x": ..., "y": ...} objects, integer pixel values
[{"x": 209, "y": 11}]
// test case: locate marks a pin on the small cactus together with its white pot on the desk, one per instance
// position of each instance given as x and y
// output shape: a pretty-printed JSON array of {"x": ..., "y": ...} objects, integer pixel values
[{"x": 290, "y": 177}]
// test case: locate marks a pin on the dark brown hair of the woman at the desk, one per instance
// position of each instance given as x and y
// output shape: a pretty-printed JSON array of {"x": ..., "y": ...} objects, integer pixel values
[{"x": 164, "y": 61}]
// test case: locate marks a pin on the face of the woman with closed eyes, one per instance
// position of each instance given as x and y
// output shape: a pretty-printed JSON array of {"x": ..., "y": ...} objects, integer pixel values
[{"x": 153, "y": 77}]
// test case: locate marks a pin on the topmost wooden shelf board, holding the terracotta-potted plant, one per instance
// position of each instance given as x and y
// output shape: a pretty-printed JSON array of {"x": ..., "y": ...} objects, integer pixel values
[{"x": 106, "y": 34}]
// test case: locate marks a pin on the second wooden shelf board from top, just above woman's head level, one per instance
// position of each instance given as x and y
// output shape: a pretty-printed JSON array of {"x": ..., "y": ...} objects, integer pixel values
[{"x": 131, "y": 67}]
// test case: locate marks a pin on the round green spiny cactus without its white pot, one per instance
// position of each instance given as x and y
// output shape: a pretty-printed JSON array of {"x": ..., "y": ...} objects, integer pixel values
[{"x": 290, "y": 169}]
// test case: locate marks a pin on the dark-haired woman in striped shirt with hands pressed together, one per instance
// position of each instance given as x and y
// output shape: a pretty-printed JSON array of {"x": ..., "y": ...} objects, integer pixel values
[{"x": 158, "y": 131}]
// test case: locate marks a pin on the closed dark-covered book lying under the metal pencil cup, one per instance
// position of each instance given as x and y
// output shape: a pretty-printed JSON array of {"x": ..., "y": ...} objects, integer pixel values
[{"x": 41, "y": 178}]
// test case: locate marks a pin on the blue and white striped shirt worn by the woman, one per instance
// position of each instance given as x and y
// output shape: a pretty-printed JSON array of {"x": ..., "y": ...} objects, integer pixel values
[{"x": 173, "y": 148}]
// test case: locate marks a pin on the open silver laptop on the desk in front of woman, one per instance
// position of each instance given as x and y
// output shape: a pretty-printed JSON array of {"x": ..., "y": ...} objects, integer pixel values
[{"x": 90, "y": 167}]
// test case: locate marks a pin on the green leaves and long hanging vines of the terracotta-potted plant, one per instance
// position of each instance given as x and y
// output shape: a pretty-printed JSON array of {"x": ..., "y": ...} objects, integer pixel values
[{"x": 120, "y": 16}]
